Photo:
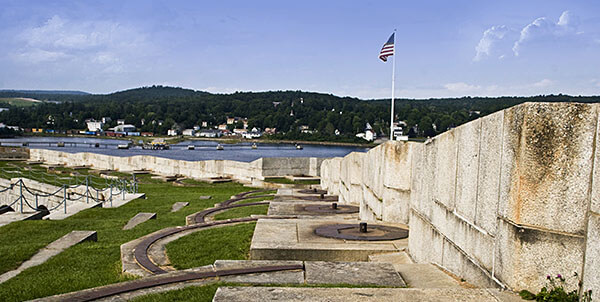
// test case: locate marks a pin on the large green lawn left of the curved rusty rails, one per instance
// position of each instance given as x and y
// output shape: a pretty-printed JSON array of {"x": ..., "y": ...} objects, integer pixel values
[{"x": 92, "y": 264}]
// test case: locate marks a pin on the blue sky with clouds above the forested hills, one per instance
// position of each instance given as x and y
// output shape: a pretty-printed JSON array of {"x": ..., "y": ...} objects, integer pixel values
[{"x": 444, "y": 48}]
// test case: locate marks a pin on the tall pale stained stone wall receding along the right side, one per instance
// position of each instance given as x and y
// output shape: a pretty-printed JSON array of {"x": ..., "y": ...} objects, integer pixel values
[{"x": 502, "y": 200}]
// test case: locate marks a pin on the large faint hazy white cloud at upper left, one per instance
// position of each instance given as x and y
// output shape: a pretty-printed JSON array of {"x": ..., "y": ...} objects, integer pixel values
[{"x": 100, "y": 46}]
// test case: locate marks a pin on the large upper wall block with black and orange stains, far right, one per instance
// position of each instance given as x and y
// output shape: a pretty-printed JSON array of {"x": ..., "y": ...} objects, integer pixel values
[{"x": 548, "y": 149}]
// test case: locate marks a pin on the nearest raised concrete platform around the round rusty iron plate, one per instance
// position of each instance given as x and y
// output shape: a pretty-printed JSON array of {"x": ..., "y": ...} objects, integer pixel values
[{"x": 294, "y": 239}]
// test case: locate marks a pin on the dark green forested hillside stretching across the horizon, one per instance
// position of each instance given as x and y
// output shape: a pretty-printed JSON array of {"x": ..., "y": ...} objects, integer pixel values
[{"x": 297, "y": 115}]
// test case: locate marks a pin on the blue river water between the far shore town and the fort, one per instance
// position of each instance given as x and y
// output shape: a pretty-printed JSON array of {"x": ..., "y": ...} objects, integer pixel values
[{"x": 203, "y": 150}]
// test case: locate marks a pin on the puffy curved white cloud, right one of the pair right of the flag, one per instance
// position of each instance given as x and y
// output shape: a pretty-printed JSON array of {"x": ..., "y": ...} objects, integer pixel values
[{"x": 542, "y": 28}]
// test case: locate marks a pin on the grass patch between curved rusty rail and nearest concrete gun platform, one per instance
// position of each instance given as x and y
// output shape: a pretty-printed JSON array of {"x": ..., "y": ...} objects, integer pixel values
[{"x": 206, "y": 246}]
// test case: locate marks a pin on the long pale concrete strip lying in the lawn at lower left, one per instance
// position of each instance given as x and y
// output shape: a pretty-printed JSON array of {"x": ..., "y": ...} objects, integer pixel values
[{"x": 51, "y": 250}]
